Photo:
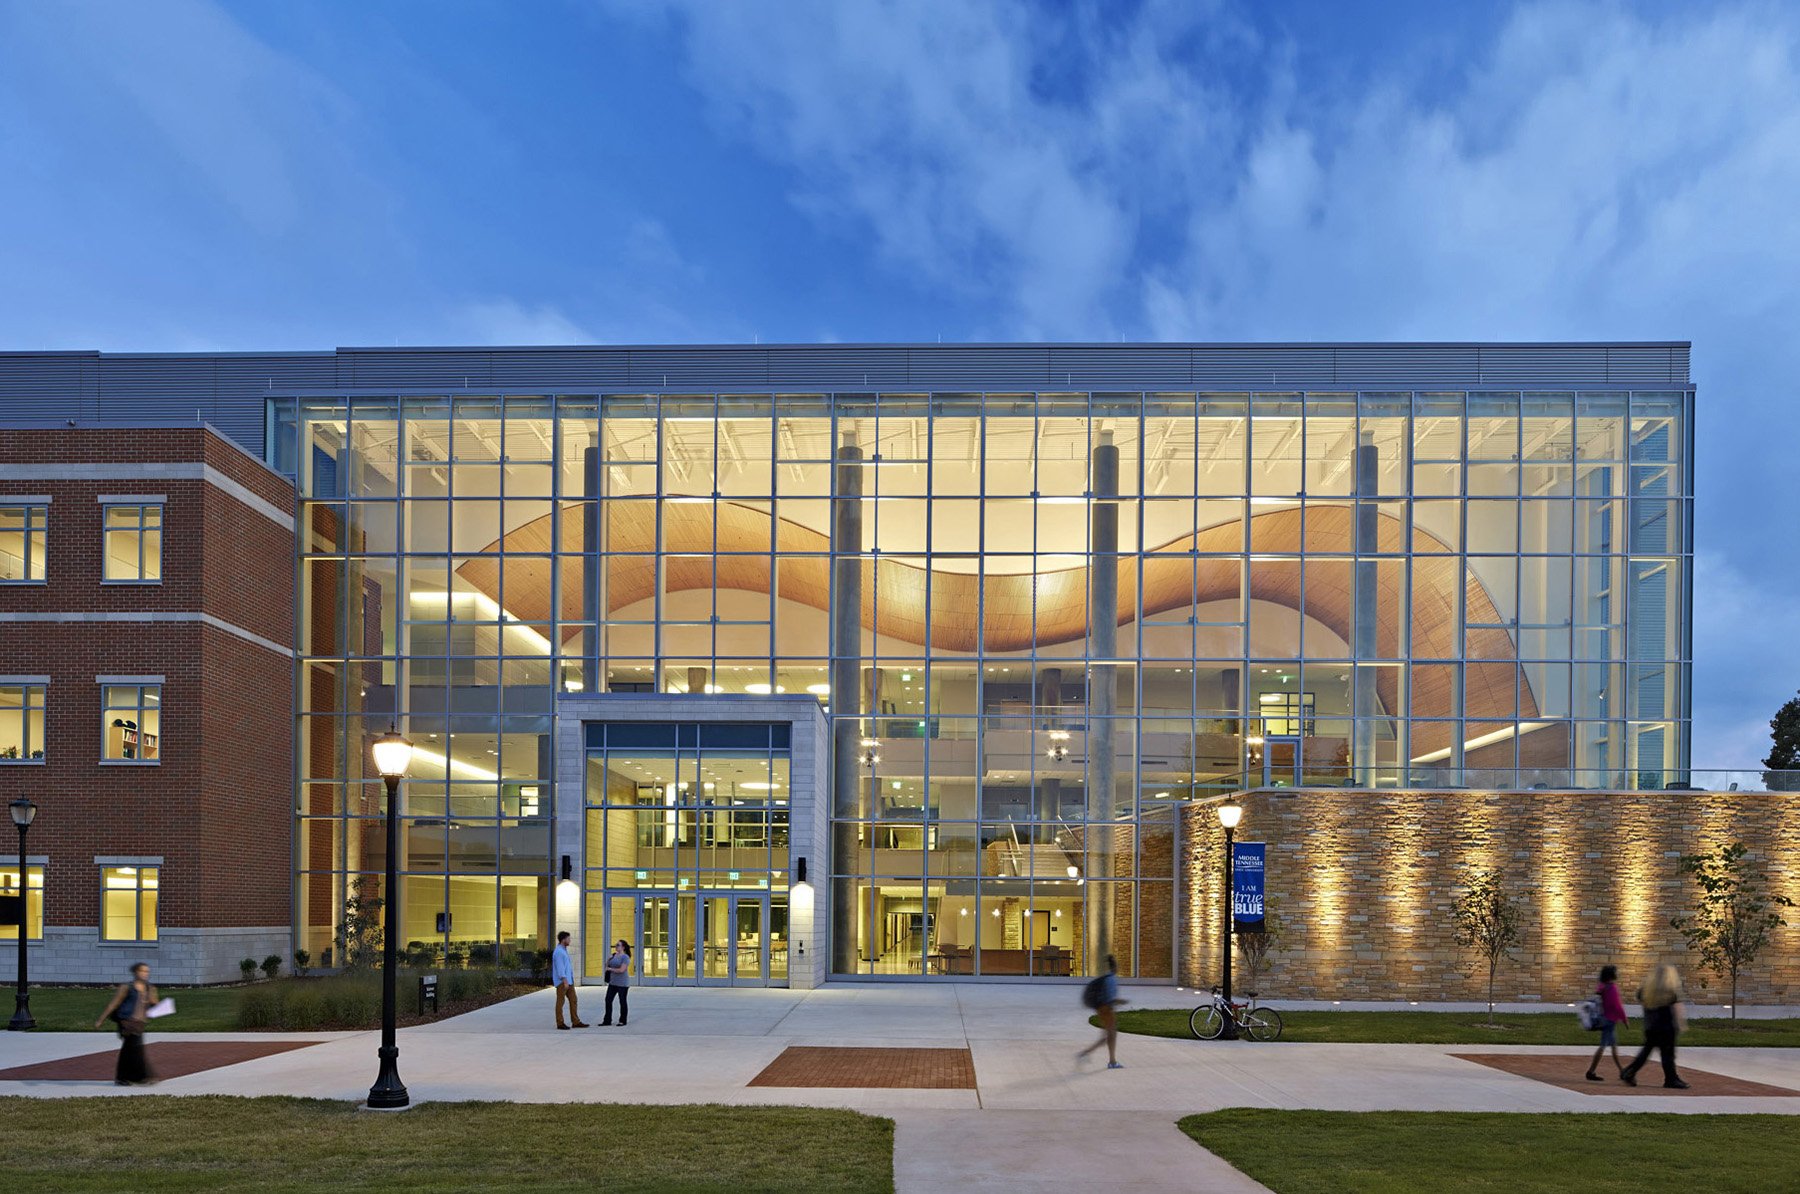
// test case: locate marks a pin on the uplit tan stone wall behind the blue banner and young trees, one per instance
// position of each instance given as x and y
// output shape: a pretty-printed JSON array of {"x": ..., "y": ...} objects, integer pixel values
[{"x": 1365, "y": 883}]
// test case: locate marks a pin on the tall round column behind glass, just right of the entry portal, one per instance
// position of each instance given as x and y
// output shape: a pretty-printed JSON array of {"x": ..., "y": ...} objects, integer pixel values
[{"x": 847, "y": 691}]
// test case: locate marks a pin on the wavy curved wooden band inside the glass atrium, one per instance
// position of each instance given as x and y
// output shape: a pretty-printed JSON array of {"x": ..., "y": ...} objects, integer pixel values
[{"x": 1043, "y": 608}]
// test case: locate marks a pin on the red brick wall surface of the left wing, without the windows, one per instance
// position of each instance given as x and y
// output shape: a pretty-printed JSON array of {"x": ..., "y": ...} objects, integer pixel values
[{"x": 219, "y": 628}]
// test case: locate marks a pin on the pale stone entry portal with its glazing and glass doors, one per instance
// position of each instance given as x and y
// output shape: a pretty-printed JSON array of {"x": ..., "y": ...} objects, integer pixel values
[{"x": 690, "y": 826}]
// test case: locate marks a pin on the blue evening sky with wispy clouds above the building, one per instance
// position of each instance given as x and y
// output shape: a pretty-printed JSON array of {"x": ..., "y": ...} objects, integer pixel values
[{"x": 202, "y": 176}]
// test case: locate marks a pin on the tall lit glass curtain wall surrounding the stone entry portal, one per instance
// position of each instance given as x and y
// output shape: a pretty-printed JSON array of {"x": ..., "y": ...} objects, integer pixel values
[{"x": 1039, "y": 620}]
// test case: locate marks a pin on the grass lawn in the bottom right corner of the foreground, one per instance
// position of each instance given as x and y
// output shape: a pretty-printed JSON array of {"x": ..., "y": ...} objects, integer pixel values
[{"x": 1435, "y": 1152}]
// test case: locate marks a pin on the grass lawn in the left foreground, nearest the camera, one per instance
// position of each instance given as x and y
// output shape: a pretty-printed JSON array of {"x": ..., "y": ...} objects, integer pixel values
[{"x": 305, "y": 1144}]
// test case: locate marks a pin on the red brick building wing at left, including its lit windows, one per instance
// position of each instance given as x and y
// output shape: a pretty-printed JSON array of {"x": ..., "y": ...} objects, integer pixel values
[{"x": 147, "y": 674}]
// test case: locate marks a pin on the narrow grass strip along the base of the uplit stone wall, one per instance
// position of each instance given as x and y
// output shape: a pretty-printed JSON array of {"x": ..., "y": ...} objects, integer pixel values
[{"x": 1470, "y": 1029}]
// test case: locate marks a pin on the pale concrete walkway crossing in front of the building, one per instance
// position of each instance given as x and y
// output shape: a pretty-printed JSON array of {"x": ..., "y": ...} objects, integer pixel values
[{"x": 1036, "y": 1117}]
